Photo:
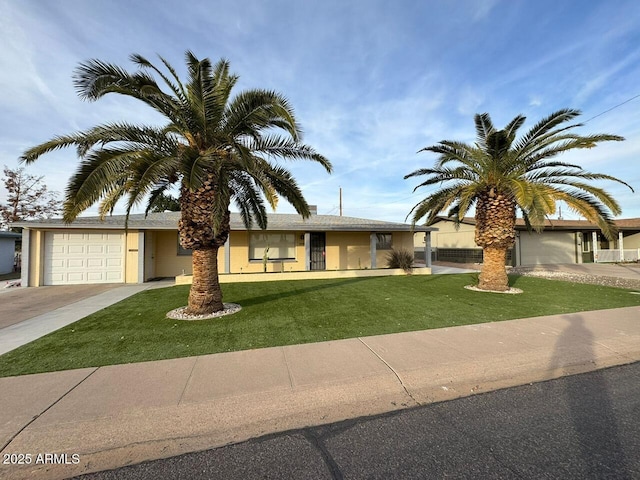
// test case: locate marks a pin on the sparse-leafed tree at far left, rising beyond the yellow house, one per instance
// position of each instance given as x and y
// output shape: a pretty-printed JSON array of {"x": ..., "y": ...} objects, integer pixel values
[{"x": 28, "y": 198}]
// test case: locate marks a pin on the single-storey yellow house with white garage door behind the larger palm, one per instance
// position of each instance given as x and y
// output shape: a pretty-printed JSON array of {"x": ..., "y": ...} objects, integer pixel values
[{"x": 93, "y": 251}]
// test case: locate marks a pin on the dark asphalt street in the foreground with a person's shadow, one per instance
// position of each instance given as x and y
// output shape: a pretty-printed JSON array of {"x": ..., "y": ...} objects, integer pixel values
[{"x": 579, "y": 427}]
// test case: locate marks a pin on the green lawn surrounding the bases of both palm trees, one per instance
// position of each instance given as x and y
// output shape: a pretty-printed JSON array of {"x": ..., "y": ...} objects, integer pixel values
[{"x": 293, "y": 312}]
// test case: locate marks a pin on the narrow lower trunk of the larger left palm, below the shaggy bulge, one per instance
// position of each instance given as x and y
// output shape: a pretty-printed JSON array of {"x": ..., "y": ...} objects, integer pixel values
[{"x": 205, "y": 295}]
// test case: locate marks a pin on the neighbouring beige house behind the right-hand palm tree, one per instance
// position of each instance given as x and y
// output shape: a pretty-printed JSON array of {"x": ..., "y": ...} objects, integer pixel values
[{"x": 561, "y": 241}]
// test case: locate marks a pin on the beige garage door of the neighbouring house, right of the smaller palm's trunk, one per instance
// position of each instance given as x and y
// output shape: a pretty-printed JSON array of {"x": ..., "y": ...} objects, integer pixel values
[{"x": 547, "y": 248}]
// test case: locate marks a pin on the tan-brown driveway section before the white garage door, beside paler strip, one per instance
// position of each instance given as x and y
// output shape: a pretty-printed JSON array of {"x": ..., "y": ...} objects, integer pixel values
[{"x": 19, "y": 304}]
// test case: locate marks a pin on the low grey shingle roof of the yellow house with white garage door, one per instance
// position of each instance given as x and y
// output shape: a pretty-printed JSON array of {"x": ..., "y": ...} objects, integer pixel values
[{"x": 276, "y": 221}]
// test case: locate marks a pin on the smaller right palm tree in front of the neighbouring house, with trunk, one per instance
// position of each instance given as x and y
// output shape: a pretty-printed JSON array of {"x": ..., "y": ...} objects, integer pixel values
[{"x": 499, "y": 175}]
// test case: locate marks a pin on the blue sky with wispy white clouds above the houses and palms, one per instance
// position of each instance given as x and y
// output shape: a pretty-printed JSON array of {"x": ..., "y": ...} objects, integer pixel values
[{"x": 372, "y": 82}]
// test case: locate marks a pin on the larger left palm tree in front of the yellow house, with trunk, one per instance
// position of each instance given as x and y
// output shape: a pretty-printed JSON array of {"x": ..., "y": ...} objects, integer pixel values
[{"x": 214, "y": 147}]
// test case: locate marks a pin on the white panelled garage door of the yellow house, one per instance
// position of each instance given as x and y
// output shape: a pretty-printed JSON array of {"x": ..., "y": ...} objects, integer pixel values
[{"x": 77, "y": 257}]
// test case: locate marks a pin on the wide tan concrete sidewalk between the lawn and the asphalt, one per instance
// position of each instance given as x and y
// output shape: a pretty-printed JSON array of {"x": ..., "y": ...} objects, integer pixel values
[{"x": 117, "y": 415}]
